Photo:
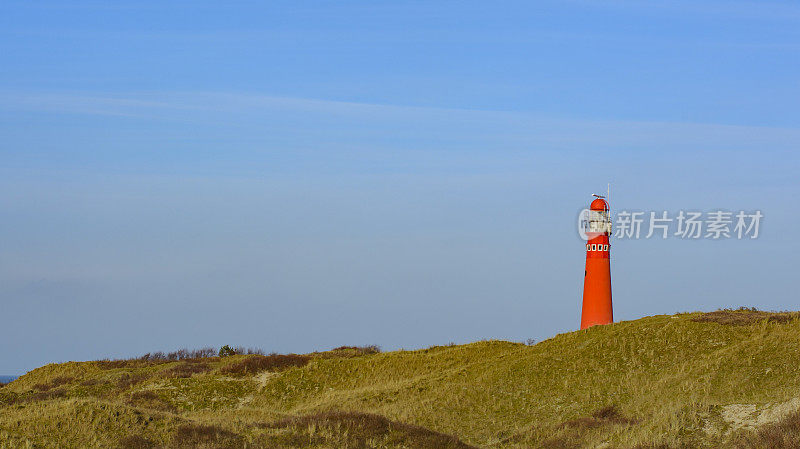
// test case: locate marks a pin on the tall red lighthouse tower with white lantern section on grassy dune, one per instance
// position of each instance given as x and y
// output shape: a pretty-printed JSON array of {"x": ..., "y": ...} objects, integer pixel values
[{"x": 597, "y": 278}]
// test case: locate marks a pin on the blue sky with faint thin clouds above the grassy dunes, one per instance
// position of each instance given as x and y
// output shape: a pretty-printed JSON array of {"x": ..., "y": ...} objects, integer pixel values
[{"x": 302, "y": 176}]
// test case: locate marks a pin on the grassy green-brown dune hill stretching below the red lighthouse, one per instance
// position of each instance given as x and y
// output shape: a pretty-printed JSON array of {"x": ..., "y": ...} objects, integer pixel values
[{"x": 721, "y": 379}]
